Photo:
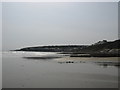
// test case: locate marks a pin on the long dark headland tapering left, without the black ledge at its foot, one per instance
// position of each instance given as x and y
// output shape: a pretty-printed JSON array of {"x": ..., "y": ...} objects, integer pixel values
[{"x": 101, "y": 47}]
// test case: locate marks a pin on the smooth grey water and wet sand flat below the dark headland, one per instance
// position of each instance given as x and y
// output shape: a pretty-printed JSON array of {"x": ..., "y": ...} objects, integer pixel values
[{"x": 51, "y": 70}]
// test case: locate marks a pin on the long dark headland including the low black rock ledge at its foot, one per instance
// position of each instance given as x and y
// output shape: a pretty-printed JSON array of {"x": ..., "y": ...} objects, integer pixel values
[{"x": 99, "y": 49}]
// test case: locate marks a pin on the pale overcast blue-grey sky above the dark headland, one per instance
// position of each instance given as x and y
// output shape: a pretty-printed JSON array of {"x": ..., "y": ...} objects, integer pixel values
[{"x": 33, "y": 24}]
